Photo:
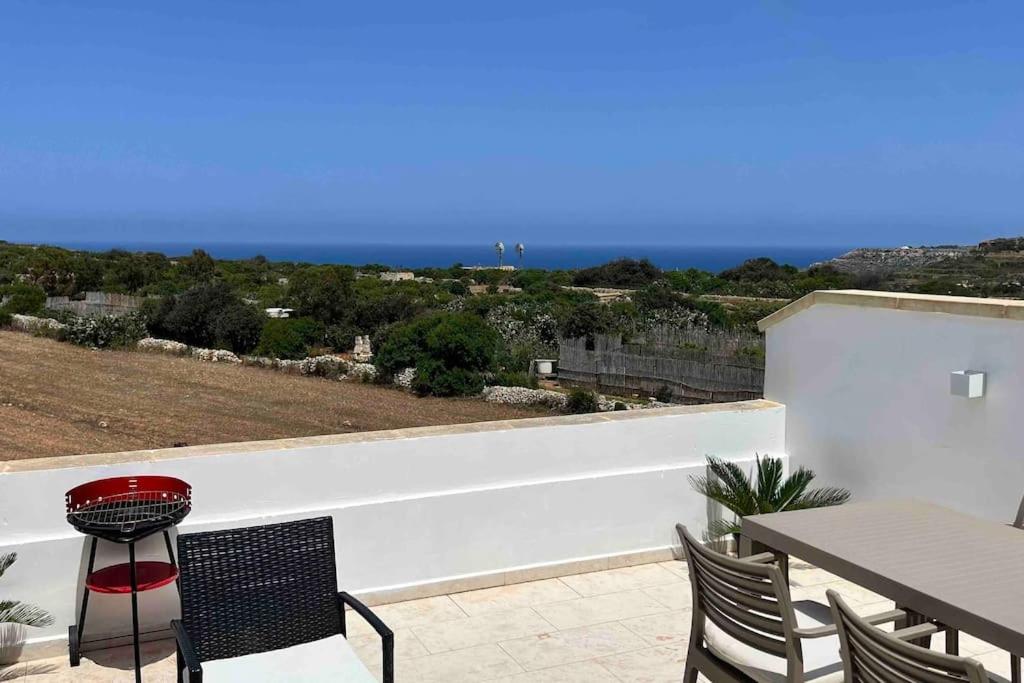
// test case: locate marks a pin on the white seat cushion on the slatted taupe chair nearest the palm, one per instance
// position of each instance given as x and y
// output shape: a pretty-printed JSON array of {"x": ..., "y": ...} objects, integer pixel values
[{"x": 822, "y": 661}]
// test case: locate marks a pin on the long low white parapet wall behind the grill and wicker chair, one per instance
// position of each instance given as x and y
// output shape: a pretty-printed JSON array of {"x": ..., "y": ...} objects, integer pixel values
[{"x": 416, "y": 511}]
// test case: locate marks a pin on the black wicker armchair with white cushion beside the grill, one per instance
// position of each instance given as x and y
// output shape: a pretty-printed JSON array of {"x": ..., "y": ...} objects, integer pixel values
[{"x": 263, "y": 605}]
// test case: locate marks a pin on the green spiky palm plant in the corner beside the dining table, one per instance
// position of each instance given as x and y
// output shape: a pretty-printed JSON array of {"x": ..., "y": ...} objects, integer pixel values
[{"x": 767, "y": 491}]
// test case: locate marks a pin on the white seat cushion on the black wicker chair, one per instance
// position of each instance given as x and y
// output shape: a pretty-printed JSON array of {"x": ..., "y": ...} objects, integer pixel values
[{"x": 326, "y": 660}]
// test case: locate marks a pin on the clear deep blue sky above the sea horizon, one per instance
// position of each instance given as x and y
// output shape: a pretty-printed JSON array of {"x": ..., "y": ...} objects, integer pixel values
[{"x": 777, "y": 122}]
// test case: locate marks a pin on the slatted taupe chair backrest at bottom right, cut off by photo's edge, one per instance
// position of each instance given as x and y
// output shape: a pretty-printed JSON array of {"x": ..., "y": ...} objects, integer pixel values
[{"x": 872, "y": 656}]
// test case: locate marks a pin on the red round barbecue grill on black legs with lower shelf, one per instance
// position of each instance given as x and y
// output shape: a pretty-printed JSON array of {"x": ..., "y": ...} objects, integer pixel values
[{"x": 126, "y": 510}]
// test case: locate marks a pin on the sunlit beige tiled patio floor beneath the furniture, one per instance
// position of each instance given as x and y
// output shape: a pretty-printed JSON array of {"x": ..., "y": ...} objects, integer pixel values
[{"x": 628, "y": 624}]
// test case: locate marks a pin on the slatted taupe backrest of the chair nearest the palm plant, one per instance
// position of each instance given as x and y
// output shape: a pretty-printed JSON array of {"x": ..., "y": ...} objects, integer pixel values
[{"x": 749, "y": 602}]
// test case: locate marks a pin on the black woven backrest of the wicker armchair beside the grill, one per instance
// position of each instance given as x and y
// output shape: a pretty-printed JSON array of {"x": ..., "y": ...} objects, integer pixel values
[{"x": 260, "y": 588}]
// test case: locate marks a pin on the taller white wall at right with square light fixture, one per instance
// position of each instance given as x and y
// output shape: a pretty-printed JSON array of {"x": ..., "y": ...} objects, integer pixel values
[{"x": 866, "y": 379}]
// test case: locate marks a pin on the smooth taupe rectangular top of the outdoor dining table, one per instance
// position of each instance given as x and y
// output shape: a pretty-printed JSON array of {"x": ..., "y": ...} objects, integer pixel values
[{"x": 965, "y": 572}]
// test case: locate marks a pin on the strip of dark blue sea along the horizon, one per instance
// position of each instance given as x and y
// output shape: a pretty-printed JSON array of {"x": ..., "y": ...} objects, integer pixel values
[{"x": 714, "y": 260}]
